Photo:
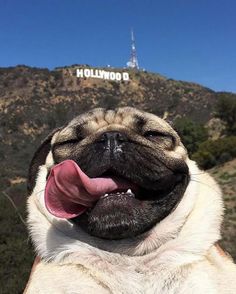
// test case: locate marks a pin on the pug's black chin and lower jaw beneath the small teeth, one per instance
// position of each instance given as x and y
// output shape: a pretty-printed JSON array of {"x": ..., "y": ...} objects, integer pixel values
[{"x": 122, "y": 215}]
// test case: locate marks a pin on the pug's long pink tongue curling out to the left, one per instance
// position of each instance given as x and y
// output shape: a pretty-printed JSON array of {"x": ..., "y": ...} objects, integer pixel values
[{"x": 69, "y": 191}]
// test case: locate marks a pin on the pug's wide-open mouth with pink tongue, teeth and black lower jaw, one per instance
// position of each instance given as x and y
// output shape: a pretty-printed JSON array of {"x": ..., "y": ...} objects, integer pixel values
[{"x": 116, "y": 203}]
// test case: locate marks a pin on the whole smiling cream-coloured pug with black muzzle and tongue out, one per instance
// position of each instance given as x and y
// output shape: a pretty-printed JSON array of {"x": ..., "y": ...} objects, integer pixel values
[{"x": 117, "y": 206}]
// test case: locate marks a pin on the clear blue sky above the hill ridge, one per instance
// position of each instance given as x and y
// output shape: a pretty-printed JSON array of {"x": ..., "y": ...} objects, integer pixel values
[{"x": 191, "y": 40}]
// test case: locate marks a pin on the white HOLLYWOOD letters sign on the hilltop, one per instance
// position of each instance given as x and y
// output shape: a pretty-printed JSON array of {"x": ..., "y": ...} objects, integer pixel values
[{"x": 101, "y": 74}]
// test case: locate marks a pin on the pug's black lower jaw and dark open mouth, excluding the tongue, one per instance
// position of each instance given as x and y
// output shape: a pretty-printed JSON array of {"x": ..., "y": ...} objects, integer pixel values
[{"x": 133, "y": 209}]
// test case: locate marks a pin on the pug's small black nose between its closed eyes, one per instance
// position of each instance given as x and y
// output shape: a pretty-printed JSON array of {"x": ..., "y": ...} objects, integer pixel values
[{"x": 112, "y": 139}]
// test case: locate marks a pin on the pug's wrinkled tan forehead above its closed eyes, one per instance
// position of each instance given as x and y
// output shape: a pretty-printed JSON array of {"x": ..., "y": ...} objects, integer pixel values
[{"x": 126, "y": 118}]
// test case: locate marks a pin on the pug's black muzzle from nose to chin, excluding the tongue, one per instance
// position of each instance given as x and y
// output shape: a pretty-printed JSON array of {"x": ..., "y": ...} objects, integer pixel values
[{"x": 160, "y": 183}]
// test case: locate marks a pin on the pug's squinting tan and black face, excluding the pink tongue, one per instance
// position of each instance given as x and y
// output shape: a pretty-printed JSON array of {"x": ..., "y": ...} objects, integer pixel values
[{"x": 127, "y": 144}]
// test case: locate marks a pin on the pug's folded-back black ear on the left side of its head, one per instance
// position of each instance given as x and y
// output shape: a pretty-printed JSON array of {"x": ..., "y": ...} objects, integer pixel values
[{"x": 39, "y": 159}]
